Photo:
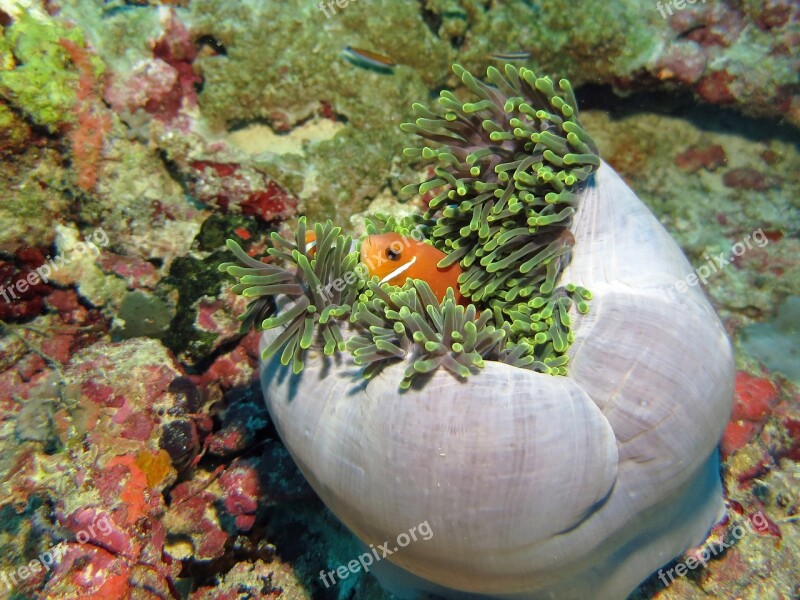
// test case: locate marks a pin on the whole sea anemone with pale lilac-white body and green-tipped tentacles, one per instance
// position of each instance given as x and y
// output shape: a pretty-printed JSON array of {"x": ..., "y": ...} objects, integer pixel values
[{"x": 537, "y": 480}]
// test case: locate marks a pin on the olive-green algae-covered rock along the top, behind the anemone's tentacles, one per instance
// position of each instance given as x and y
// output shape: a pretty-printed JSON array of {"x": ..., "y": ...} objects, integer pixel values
[{"x": 305, "y": 49}]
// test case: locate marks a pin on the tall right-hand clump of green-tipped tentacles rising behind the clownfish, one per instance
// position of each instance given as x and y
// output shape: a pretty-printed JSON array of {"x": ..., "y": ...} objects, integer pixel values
[{"x": 509, "y": 169}]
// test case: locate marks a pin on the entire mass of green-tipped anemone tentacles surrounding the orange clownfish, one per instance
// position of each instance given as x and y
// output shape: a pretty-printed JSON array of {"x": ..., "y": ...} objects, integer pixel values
[{"x": 508, "y": 171}]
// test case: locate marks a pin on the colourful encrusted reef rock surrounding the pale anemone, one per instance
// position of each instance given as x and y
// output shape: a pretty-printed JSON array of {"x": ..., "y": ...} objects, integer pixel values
[{"x": 136, "y": 137}]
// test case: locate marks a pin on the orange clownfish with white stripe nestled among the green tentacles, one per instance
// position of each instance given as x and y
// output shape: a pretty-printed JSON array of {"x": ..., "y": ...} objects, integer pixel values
[{"x": 395, "y": 258}]
